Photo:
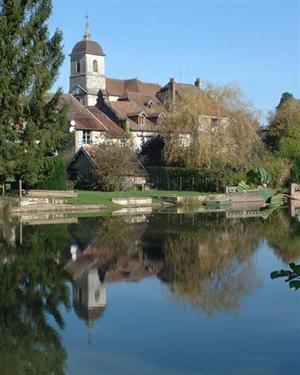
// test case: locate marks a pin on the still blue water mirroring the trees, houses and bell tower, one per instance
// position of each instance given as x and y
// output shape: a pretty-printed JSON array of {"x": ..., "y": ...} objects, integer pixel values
[{"x": 149, "y": 294}]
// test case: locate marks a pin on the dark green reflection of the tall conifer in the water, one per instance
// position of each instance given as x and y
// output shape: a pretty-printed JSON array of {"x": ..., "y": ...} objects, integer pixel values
[{"x": 33, "y": 286}]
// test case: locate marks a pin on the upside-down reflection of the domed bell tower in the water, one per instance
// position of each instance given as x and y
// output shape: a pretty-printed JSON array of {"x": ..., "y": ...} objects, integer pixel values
[{"x": 89, "y": 297}]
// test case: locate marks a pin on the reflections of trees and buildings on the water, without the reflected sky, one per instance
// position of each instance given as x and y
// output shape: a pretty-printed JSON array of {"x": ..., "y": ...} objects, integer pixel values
[{"x": 205, "y": 260}]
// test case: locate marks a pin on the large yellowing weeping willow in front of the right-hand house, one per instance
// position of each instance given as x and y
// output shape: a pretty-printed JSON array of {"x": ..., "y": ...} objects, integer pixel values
[{"x": 213, "y": 129}]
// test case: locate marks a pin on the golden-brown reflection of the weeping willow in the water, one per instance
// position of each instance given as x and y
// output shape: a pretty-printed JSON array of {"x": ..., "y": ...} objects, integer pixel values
[{"x": 212, "y": 271}]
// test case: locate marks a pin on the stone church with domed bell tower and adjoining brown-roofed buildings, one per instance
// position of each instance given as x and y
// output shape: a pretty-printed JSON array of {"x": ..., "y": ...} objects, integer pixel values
[{"x": 107, "y": 110}]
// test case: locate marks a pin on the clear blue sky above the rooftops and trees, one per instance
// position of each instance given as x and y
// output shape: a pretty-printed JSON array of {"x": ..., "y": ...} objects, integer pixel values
[{"x": 254, "y": 43}]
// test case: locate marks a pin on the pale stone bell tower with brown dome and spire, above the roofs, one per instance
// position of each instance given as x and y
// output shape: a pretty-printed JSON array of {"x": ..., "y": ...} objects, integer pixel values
[{"x": 87, "y": 69}]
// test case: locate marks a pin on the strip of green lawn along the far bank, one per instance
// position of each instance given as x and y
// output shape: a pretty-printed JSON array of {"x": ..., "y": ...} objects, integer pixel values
[{"x": 100, "y": 197}]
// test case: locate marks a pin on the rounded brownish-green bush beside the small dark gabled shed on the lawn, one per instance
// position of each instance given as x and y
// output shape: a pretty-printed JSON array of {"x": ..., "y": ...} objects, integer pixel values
[{"x": 112, "y": 165}]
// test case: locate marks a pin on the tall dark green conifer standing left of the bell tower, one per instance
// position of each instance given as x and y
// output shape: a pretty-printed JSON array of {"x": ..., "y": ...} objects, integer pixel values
[{"x": 32, "y": 123}]
